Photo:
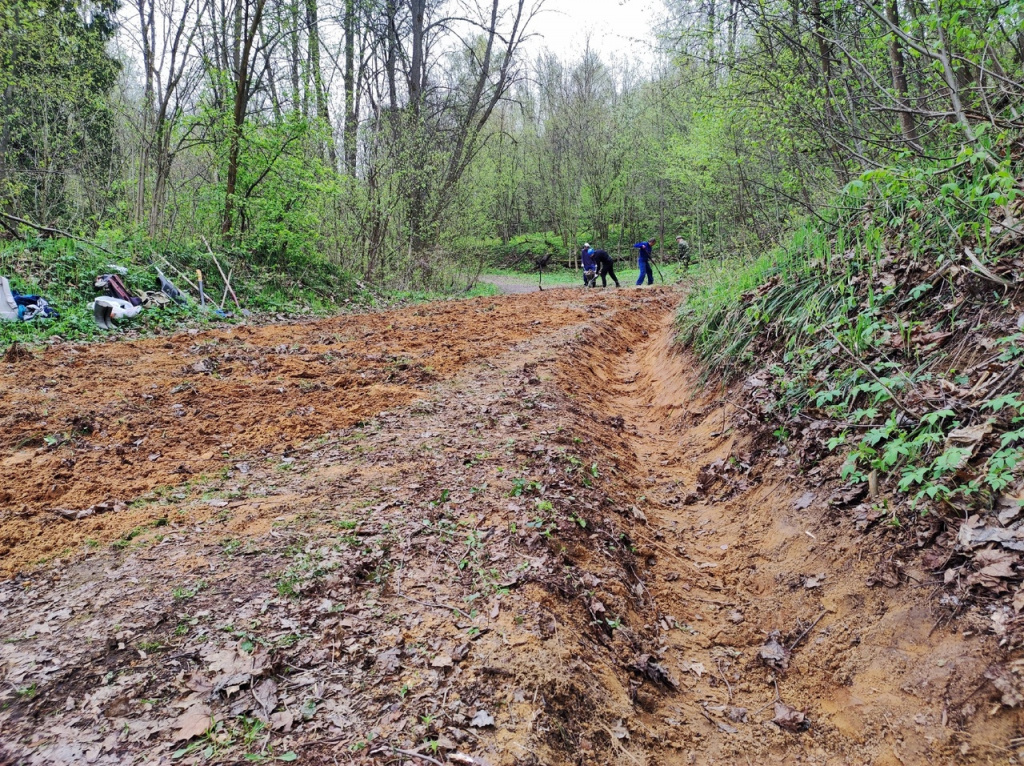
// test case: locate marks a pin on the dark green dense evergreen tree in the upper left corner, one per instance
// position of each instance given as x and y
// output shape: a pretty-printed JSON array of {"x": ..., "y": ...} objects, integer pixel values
[{"x": 58, "y": 132}]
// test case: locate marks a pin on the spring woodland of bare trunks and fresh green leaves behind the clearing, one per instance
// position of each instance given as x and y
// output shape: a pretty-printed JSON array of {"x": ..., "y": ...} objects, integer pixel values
[{"x": 402, "y": 142}]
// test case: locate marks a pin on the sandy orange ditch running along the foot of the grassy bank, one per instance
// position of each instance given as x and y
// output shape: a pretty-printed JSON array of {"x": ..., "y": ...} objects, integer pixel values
[{"x": 797, "y": 637}]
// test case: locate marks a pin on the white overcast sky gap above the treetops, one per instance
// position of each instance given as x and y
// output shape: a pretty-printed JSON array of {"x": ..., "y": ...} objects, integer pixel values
[{"x": 625, "y": 28}]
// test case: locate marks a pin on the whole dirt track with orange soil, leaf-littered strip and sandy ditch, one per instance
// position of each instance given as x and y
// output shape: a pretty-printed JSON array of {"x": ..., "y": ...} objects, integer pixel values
[{"x": 500, "y": 531}]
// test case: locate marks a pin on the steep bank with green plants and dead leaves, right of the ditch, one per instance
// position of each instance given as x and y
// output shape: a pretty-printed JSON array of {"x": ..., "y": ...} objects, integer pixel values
[{"x": 888, "y": 330}]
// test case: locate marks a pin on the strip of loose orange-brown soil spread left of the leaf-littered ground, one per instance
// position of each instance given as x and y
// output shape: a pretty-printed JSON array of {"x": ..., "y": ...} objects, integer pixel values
[{"x": 82, "y": 425}]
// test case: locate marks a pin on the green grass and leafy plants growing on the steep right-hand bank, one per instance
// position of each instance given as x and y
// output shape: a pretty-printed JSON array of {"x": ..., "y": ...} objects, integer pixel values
[{"x": 844, "y": 332}]
